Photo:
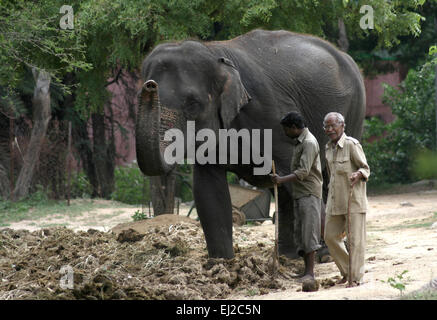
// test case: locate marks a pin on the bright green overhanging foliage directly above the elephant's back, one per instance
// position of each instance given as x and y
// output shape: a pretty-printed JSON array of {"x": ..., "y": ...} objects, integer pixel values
[{"x": 392, "y": 19}]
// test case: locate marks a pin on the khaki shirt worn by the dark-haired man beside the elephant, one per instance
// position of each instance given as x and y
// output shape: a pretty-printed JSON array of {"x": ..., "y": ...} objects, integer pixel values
[{"x": 305, "y": 164}]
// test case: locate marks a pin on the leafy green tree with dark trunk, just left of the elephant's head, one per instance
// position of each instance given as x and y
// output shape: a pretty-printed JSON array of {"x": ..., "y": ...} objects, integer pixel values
[{"x": 119, "y": 35}]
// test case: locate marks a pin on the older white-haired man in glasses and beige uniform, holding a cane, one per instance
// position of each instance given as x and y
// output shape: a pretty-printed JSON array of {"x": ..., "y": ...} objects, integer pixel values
[{"x": 347, "y": 167}]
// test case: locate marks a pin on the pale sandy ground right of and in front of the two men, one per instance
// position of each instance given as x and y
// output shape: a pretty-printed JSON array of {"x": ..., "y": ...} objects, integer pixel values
[{"x": 400, "y": 236}]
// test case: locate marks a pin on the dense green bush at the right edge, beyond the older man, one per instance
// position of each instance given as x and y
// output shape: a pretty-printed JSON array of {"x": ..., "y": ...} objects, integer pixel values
[{"x": 400, "y": 153}]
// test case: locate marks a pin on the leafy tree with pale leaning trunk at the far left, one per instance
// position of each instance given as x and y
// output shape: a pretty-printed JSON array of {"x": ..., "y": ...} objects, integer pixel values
[{"x": 30, "y": 40}]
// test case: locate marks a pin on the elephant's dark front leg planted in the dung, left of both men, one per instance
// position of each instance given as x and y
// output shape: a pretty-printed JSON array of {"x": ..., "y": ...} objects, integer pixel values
[{"x": 214, "y": 208}]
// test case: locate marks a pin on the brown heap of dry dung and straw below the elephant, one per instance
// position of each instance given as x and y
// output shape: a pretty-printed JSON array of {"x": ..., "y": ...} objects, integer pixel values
[{"x": 157, "y": 261}]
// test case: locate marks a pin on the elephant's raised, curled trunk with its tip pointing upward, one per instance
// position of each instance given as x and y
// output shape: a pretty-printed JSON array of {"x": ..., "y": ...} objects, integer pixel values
[{"x": 152, "y": 122}]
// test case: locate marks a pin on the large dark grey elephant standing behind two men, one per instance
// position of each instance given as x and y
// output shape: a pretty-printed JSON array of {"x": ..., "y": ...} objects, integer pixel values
[{"x": 250, "y": 82}]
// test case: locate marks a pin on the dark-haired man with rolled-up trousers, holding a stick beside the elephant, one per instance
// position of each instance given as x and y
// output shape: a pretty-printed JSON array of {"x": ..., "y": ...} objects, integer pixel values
[{"x": 306, "y": 179}]
